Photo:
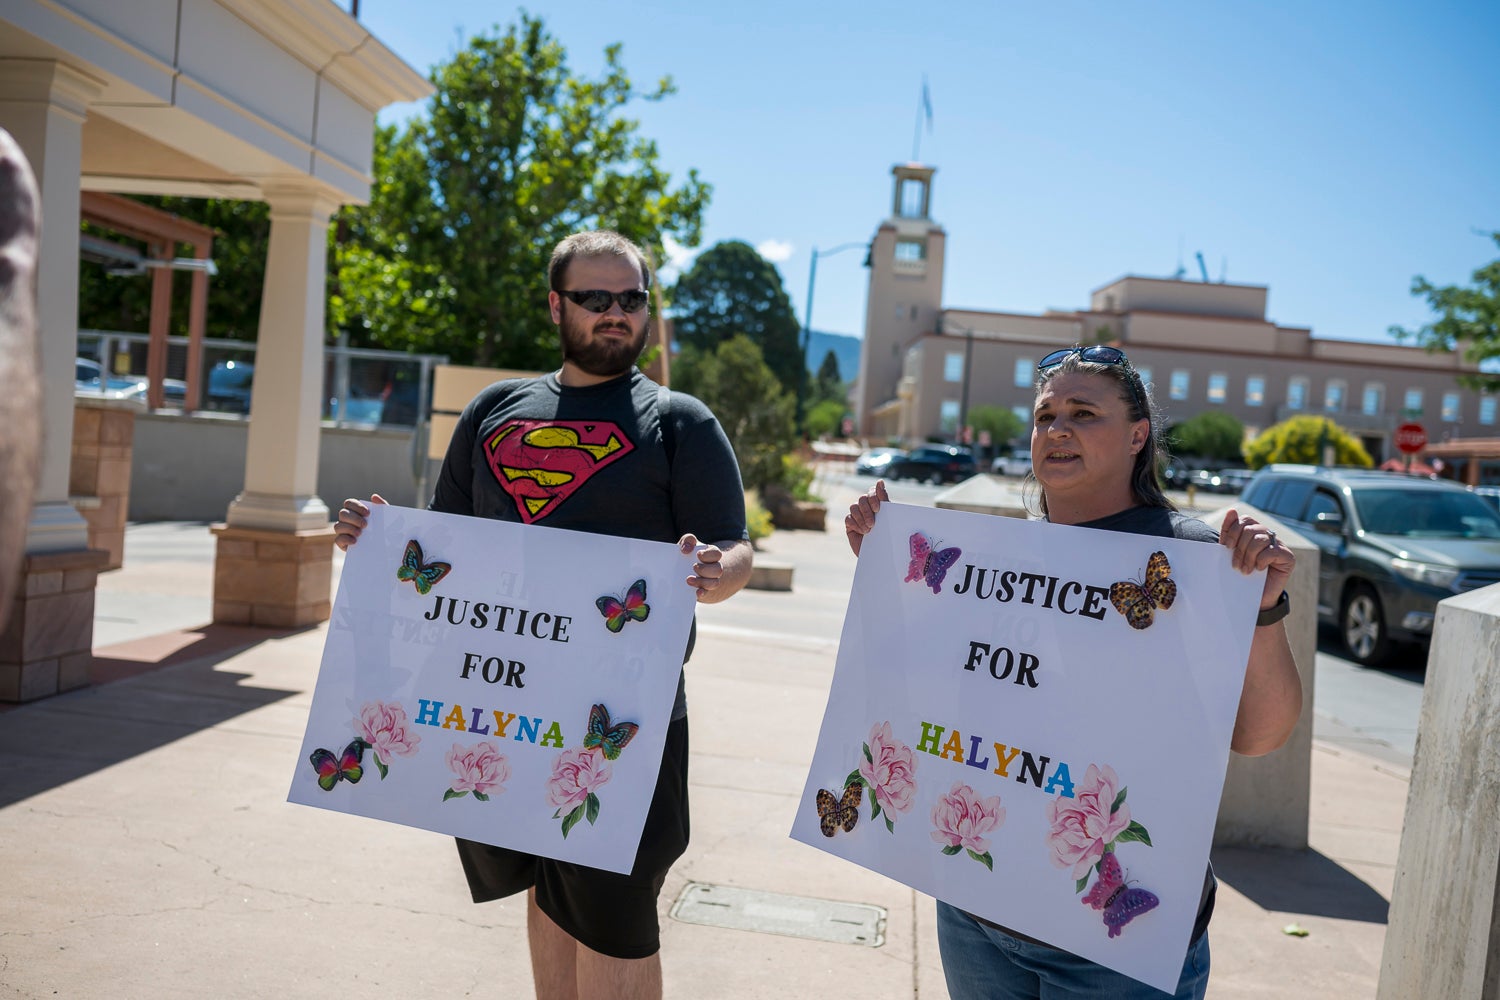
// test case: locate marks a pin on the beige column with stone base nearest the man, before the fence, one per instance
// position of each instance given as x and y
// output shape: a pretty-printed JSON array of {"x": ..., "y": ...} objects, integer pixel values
[{"x": 275, "y": 551}]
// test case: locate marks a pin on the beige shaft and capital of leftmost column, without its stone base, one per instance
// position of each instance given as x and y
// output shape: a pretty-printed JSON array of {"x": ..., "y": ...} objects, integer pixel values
[{"x": 43, "y": 104}]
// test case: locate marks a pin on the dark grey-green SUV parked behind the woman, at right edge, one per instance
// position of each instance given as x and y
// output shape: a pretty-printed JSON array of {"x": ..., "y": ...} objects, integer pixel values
[{"x": 1391, "y": 548}]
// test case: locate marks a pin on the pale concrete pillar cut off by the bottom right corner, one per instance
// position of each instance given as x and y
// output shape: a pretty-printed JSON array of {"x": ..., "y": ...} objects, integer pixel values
[{"x": 1444, "y": 935}]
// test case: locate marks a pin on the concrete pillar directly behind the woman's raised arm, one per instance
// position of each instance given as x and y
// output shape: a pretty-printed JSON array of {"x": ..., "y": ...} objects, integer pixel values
[{"x": 1265, "y": 801}]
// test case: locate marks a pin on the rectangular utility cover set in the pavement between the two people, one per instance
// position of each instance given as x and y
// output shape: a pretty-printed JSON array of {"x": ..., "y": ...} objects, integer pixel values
[{"x": 776, "y": 914}]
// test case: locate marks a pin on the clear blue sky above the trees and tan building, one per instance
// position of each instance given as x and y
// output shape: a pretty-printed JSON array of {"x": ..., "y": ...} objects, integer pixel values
[{"x": 1327, "y": 151}]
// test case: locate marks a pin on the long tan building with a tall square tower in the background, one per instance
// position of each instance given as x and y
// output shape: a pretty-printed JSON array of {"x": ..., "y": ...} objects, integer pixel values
[{"x": 1201, "y": 347}]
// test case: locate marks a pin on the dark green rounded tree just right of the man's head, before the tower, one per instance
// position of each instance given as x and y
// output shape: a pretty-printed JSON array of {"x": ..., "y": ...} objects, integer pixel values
[{"x": 731, "y": 290}]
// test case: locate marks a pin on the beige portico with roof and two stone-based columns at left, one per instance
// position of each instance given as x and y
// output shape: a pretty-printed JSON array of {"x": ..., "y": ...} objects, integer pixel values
[{"x": 259, "y": 100}]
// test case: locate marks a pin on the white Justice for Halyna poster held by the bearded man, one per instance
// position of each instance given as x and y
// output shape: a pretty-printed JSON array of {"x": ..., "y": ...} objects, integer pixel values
[{"x": 509, "y": 684}]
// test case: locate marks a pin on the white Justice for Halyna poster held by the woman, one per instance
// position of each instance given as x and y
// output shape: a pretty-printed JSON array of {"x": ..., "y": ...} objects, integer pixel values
[{"x": 1031, "y": 722}]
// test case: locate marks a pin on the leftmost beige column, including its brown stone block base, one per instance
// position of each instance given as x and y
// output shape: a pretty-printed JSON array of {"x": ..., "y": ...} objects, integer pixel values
[{"x": 47, "y": 633}]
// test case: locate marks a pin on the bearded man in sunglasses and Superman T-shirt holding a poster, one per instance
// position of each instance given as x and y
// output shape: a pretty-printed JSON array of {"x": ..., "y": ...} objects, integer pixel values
[{"x": 598, "y": 446}]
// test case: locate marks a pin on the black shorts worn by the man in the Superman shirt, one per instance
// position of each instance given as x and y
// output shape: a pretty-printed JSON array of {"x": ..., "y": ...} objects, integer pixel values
[{"x": 607, "y": 912}]
